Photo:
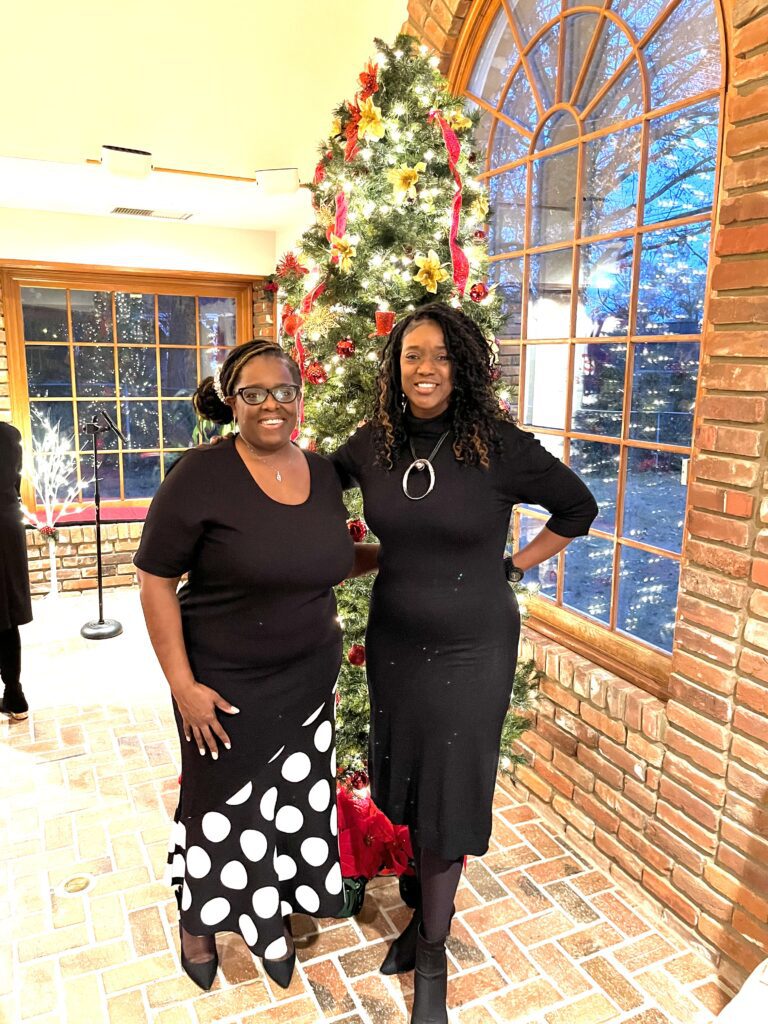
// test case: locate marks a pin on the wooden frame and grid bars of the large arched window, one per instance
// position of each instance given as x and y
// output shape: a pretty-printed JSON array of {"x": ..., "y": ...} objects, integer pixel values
[{"x": 631, "y": 659}]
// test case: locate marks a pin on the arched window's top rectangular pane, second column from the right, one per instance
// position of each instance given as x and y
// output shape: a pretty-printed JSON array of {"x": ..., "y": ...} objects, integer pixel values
[{"x": 612, "y": 168}]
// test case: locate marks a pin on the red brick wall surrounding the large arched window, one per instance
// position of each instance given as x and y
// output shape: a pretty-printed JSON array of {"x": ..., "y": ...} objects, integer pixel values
[{"x": 673, "y": 798}]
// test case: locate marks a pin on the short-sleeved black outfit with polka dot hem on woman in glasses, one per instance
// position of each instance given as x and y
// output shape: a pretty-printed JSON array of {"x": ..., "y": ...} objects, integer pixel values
[{"x": 255, "y": 835}]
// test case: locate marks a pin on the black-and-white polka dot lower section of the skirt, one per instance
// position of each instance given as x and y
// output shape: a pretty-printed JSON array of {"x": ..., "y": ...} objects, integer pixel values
[{"x": 270, "y": 850}]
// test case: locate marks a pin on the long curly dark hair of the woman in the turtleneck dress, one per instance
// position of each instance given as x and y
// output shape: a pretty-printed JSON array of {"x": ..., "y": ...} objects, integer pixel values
[{"x": 475, "y": 408}]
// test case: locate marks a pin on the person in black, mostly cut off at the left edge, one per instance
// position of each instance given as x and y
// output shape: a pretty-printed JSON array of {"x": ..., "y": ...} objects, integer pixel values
[{"x": 16, "y": 604}]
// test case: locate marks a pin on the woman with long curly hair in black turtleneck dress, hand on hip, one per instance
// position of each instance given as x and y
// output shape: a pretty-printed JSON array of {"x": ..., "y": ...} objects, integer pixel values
[{"x": 441, "y": 470}]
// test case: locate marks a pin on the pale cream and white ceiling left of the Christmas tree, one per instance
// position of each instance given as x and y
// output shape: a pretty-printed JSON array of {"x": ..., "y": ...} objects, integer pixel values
[{"x": 225, "y": 89}]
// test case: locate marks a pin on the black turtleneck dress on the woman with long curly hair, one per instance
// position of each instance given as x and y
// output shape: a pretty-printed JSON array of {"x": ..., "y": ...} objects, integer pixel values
[{"x": 444, "y": 627}]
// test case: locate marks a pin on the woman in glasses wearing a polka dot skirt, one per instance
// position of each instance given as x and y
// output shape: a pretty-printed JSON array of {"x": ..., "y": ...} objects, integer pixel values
[{"x": 251, "y": 650}]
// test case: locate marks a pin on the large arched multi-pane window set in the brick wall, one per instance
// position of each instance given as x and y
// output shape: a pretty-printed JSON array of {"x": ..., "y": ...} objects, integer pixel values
[{"x": 602, "y": 133}]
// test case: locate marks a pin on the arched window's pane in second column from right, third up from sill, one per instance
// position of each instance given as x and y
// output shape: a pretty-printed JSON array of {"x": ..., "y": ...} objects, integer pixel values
[{"x": 599, "y": 389}]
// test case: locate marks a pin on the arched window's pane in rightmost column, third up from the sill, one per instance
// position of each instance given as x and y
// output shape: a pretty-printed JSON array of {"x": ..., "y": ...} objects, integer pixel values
[{"x": 664, "y": 392}]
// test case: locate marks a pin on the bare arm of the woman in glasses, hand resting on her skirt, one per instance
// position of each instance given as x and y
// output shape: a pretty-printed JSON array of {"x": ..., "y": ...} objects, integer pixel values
[{"x": 197, "y": 703}]
